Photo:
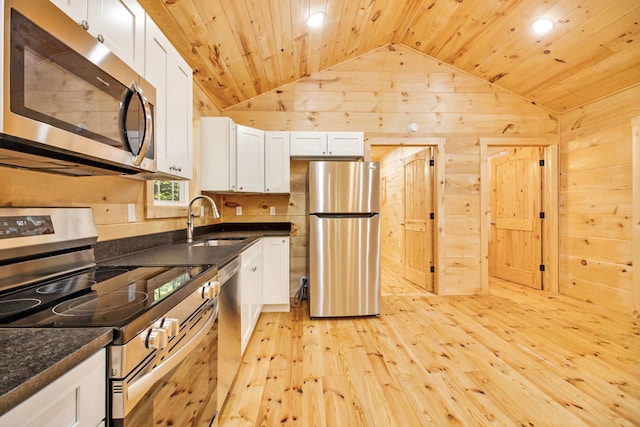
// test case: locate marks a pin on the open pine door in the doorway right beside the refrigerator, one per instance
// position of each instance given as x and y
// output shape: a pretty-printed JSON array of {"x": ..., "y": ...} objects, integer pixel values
[{"x": 418, "y": 227}]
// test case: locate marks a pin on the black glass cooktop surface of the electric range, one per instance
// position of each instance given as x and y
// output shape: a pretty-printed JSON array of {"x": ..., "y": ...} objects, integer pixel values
[{"x": 101, "y": 296}]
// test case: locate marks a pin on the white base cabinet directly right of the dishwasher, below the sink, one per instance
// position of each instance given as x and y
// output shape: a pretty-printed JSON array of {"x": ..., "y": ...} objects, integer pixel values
[{"x": 250, "y": 281}]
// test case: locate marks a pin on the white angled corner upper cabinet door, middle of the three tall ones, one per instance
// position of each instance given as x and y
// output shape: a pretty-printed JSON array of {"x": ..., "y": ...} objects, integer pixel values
[{"x": 250, "y": 159}]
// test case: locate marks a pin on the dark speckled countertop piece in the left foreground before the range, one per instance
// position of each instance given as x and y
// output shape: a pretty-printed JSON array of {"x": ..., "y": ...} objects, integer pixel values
[{"x": 33, "y": 358}]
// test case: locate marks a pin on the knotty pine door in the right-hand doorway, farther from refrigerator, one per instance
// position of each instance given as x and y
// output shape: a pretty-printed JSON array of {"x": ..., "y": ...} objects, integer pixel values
[{"x": 515, "y": 248}]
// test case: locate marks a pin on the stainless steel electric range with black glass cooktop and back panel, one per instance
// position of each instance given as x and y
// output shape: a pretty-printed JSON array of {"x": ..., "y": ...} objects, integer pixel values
[{"x": 160, "y": 315}]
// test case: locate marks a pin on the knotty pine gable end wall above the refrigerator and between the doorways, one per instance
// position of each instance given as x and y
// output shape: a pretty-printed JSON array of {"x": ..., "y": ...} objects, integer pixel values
[{"x": 380, "y": 93}]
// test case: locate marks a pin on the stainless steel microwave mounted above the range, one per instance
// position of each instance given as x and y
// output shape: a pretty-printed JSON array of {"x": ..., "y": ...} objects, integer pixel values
[{"x": 69, "y": 105}]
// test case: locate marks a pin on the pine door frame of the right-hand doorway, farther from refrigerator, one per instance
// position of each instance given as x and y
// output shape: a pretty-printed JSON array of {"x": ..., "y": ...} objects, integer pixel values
[{"x": 550, "y": 184}]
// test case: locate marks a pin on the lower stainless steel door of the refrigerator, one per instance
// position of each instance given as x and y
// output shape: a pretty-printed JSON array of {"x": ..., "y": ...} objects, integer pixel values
[{"x": 344, "y": 266}]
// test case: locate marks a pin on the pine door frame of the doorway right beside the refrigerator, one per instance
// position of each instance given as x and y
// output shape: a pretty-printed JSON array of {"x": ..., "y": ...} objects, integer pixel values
[{"x": 438, "y": 203}]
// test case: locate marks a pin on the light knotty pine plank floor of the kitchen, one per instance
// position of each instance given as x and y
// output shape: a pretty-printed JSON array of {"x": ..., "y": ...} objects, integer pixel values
[{"x": 513, "y": 357}]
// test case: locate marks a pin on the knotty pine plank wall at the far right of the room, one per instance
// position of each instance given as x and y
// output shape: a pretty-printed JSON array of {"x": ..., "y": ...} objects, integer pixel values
[{"x": 596, "y": 202}]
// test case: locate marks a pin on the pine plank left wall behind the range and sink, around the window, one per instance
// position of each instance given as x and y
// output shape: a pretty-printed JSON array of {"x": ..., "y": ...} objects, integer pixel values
[{"x": 107, "y": 196}]
